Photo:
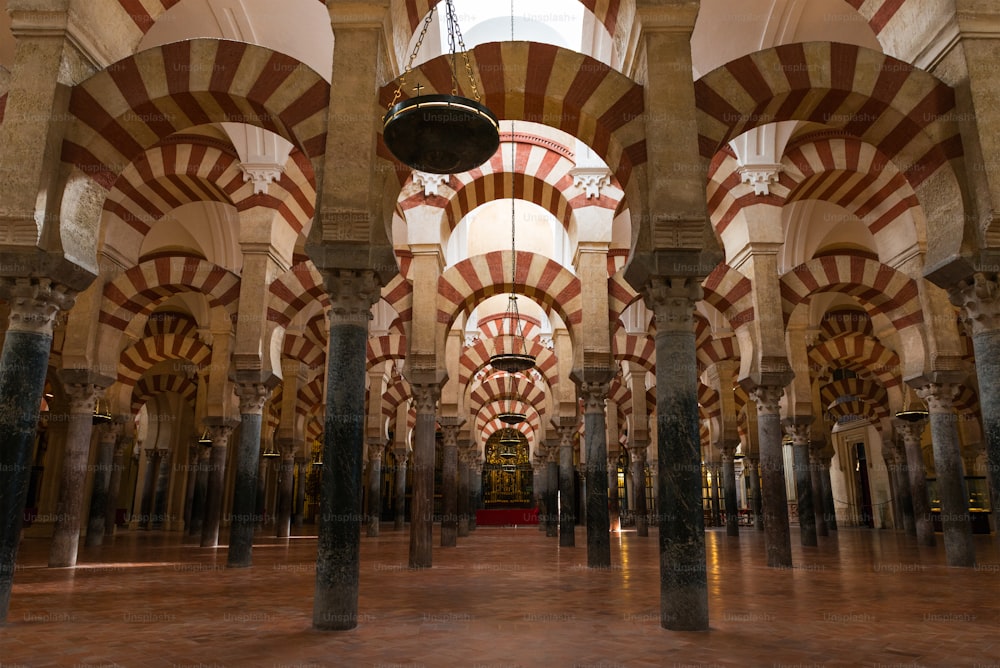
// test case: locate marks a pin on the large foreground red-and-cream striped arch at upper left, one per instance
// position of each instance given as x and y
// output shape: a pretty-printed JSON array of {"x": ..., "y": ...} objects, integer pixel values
[{"x": 135, "y": 103}]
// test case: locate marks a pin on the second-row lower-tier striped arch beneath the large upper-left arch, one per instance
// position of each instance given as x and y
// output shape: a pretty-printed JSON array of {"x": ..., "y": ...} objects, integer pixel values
[{"x": 139, "y": 289}]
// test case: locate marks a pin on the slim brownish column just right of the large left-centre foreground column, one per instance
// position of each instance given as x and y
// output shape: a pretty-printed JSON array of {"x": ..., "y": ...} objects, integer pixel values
[{"x": 425, "y": 398}]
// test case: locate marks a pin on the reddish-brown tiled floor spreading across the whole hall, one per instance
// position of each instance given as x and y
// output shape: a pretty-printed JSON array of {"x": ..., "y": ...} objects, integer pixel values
[{"x": 504, "y": 598}]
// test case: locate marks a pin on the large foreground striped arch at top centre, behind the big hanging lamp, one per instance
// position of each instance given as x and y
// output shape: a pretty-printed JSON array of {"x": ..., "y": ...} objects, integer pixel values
[{"x": 545, "y": 84}]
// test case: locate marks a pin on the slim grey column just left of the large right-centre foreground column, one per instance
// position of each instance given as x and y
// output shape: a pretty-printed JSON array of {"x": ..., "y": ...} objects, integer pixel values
[{"x": 594, "y": 393}]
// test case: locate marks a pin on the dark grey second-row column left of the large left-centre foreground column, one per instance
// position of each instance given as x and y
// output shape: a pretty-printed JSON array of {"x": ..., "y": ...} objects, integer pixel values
[{"x": 253, "y": 396}]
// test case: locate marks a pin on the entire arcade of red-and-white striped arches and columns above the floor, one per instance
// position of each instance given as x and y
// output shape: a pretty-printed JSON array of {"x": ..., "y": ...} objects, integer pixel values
[{"x": 745, "y": 243}]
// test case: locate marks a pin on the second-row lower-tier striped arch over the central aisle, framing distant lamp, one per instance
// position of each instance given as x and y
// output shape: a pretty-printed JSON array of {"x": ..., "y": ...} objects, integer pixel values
[{"x": 474, "y": 279}]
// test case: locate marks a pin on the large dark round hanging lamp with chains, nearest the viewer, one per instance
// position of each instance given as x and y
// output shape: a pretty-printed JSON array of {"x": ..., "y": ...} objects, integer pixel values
[{"x": 441, "y": 134}]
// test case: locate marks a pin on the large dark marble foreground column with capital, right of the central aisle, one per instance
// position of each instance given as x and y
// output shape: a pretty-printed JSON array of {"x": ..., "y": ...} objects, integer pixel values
[{"x": 683, "y": 577}]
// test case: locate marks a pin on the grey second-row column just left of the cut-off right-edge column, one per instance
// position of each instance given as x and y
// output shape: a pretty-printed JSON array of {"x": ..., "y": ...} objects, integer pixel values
[{"x": 955, "y": 522}]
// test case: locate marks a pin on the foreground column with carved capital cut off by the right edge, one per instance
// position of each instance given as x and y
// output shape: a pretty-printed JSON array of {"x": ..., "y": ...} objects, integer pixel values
[{"x": 979, "y": 297}]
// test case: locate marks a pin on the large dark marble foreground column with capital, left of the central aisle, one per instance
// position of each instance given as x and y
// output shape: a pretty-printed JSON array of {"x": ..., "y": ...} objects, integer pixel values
[{"x": 338, "y": 556}]
